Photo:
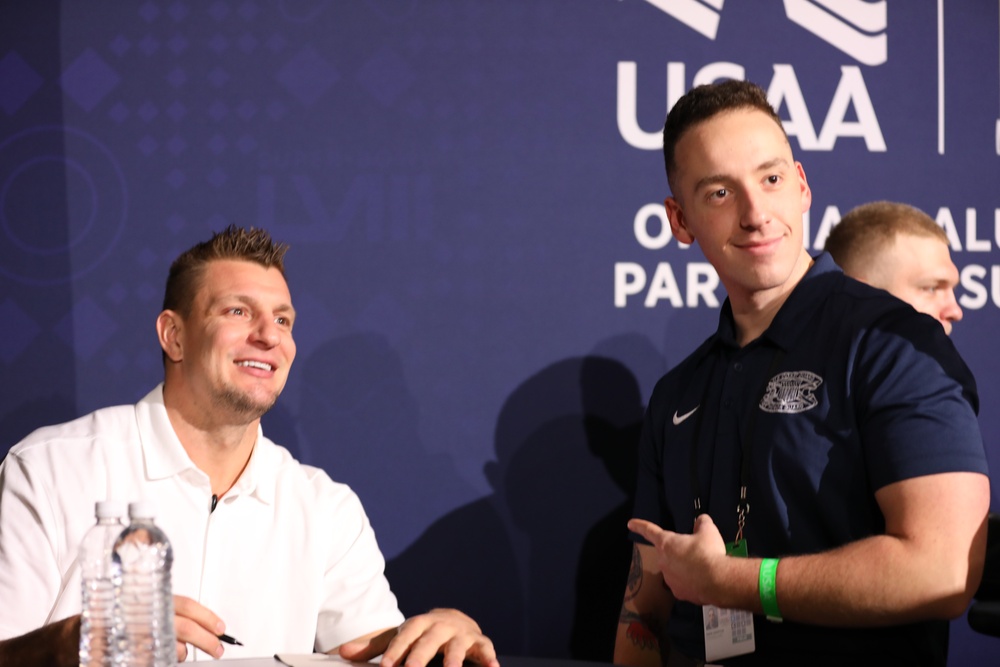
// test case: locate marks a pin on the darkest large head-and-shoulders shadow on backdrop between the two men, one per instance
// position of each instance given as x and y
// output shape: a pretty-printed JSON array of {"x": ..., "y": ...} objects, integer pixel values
[{"x": 541, "y": 563}]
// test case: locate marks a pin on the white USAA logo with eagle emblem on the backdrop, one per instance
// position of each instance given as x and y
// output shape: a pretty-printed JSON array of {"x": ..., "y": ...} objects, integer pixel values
[{"x": 856, "y": 28}]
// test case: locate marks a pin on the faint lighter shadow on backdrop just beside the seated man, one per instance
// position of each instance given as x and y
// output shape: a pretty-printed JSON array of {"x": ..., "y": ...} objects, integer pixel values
[{"x": 360, "y": 422}]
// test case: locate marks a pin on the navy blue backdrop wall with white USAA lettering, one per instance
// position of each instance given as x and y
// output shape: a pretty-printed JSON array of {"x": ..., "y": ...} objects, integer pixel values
[{"x": 473, "y": 194}]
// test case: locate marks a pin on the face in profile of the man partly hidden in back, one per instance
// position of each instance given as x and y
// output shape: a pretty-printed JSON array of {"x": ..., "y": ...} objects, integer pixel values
[{"x": 918, "y": 270}]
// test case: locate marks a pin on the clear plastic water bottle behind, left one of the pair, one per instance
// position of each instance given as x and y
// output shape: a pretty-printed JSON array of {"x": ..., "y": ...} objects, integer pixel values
[{"x": 99, "y": 630}]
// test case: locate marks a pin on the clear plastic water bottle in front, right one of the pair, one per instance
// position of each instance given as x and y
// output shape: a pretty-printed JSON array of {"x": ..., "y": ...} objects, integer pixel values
[{"x": 147, "y": 604}]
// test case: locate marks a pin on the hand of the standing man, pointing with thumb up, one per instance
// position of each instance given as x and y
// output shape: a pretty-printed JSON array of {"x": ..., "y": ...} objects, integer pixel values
[{"x": 692, "y": 566}]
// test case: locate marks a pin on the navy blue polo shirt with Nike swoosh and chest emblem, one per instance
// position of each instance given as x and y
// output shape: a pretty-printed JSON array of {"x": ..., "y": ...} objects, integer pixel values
[{"x": 847, "y": 391}]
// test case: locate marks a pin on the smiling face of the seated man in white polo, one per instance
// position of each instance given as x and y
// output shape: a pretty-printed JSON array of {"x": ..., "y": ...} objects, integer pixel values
[{"x": 231, "y": 355}]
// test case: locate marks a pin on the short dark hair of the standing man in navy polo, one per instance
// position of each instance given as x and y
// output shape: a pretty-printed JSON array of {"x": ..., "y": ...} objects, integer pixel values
[{"x": 704, "y": 102}]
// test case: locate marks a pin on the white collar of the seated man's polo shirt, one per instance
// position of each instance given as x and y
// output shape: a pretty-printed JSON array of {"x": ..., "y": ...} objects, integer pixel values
[{"x": 165, "y": 456}]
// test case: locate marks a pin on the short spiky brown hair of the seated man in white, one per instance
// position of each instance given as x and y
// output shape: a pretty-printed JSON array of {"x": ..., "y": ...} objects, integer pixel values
[{"x": 249, "y": 245}]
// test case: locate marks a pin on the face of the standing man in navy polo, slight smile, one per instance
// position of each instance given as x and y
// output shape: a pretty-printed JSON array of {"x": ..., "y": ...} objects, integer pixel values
[{"x": 740, "y": 195}]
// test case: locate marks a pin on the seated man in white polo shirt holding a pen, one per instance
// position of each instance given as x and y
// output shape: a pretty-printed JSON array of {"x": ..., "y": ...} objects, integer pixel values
[{"x": 265, "y": 548}]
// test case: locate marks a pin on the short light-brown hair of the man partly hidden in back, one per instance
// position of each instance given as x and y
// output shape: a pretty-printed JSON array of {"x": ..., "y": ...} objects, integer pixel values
[{"x": 866, "y": 230}]
